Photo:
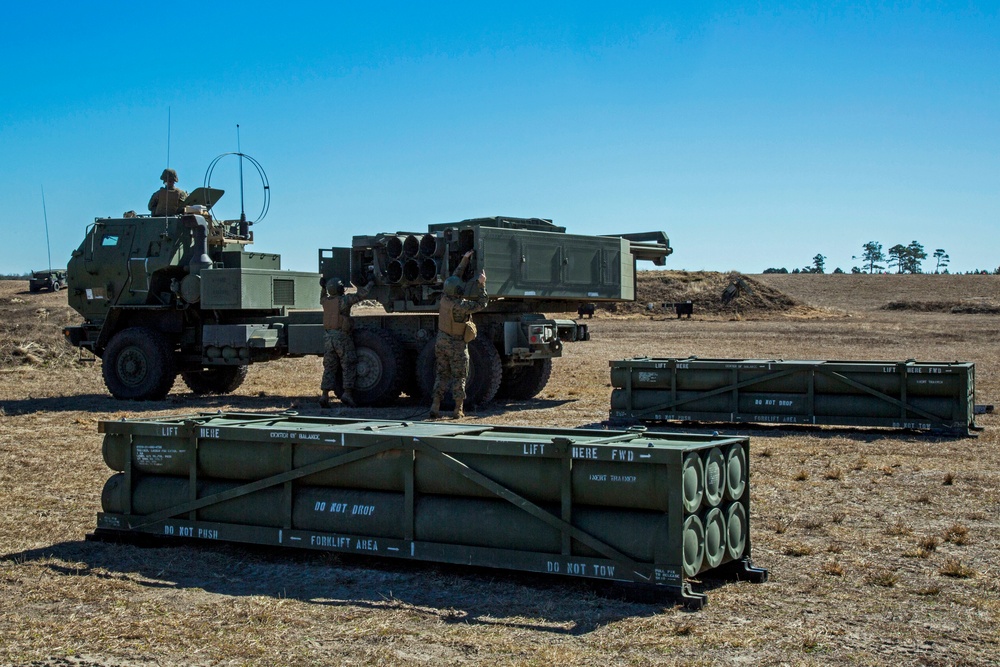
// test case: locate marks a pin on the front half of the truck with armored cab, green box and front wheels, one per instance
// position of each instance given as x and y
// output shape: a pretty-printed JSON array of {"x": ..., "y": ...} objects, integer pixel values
[{"x": 179, "y": 294}]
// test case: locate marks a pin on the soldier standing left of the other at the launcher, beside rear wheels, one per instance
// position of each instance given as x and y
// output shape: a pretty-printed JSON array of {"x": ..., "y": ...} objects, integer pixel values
[{"x": 337, "y": 338}]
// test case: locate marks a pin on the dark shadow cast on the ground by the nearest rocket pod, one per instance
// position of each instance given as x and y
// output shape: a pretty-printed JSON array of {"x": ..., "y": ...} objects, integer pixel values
[{"x": 457, "y": 594}]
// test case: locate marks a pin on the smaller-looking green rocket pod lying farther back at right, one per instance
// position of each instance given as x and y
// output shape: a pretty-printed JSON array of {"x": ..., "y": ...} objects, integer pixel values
[{"x": 908, "y": 394}]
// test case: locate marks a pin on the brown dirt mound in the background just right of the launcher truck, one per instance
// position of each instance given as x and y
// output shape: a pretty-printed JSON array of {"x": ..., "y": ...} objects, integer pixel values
[{"x": 705, "y": 289}]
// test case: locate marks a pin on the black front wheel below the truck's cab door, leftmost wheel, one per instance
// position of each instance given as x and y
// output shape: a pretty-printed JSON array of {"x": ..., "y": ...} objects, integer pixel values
[{"x": 138, "y": 365}]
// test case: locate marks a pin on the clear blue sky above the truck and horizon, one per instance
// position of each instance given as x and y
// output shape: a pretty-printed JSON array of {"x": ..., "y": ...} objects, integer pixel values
[{"x": 753, "y": 134}]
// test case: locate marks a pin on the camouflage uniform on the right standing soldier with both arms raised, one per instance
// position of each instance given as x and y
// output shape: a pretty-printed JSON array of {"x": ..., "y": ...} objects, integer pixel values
[{"x": 451, "y": 352}]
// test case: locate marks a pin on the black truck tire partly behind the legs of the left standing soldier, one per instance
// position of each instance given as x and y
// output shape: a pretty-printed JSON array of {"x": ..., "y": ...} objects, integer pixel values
[{"x": 381, "y": 368}]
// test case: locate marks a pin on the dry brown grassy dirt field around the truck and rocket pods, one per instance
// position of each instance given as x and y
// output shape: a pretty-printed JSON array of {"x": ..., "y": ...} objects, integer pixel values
[{"x": 881, "y": 546}]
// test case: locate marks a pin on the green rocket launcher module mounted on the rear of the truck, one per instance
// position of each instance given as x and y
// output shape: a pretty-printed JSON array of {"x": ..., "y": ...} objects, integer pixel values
[{"x": 526, "y": 262}]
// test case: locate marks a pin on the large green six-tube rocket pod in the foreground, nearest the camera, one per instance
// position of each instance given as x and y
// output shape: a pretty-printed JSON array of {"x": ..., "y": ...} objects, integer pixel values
[{"x": 627, "y": 506}]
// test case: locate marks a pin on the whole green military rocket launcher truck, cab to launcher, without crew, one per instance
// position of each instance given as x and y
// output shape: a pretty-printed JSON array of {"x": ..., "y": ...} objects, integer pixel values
[{"x": 162, "y": 296}]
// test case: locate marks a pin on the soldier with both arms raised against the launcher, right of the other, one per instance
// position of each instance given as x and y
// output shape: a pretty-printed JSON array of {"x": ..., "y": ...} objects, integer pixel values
[{"x": 451, "y": 352}]
